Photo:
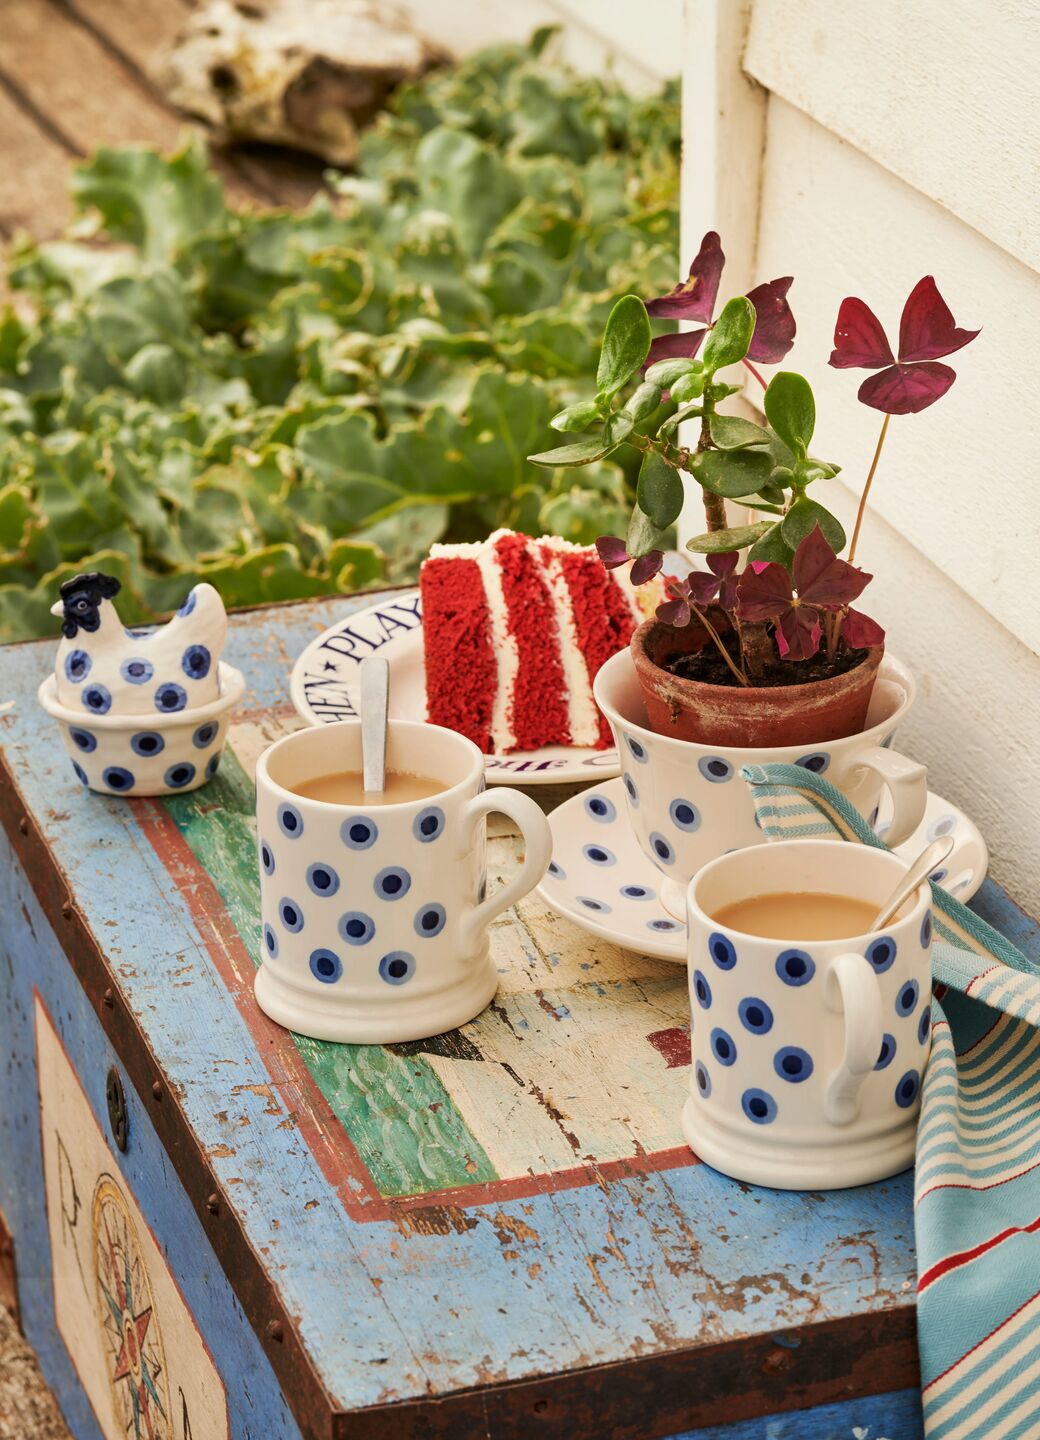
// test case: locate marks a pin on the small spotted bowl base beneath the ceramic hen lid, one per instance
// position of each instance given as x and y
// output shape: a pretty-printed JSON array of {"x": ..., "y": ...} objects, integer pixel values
[{"x": 132, "y": 755}]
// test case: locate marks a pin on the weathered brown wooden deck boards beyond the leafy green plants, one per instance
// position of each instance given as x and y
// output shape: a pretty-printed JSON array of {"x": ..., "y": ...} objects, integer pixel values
[{"x": 79, "y": 74}]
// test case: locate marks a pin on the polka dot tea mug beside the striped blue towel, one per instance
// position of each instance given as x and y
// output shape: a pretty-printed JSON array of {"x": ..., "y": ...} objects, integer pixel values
[{"x": 807, "y": 1055}]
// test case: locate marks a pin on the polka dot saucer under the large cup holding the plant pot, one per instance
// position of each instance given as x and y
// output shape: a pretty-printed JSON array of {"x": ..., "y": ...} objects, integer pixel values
[{"x": 603, "y": 882}]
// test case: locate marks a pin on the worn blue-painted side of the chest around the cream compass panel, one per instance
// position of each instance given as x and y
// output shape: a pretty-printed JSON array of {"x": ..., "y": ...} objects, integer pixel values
[{"x": 32, "y": 958}]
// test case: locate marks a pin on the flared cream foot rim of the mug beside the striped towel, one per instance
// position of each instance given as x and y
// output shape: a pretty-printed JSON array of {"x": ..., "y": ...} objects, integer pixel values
[{"x": 800, "y": 1167}]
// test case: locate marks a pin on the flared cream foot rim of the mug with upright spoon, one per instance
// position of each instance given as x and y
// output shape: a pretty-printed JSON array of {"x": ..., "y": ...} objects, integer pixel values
[{"x": 391, "y": 1022}]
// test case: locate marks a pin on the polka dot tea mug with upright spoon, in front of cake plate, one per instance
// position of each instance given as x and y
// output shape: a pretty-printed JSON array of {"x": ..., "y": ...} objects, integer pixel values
[{"x": 375, "y": 917}]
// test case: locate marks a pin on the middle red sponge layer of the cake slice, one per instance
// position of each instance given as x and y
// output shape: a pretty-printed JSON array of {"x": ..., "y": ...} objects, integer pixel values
[{"x": 539, "y": 693}]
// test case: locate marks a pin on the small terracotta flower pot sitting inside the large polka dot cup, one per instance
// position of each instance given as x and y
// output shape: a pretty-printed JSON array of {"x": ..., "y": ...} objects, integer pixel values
[{"x": 747, "y": 716}]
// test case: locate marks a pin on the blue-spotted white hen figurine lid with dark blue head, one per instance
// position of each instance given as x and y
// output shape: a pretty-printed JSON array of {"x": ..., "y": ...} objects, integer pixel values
[{"x": 104, "y": 667}]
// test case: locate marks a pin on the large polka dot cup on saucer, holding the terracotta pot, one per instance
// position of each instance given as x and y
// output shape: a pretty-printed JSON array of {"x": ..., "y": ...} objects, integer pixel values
[{"x": 688, "y": 803}]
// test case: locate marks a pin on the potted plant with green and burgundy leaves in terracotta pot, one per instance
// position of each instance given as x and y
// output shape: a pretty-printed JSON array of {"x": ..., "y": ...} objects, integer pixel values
[{"x": 774, "y": 652}]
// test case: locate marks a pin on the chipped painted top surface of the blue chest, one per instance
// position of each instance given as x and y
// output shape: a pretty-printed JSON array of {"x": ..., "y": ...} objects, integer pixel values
[{"x": 593, "y": 1254}]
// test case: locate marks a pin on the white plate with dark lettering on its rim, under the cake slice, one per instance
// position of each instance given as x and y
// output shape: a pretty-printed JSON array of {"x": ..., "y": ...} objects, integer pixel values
[{"x": 325, "y": 689}]
